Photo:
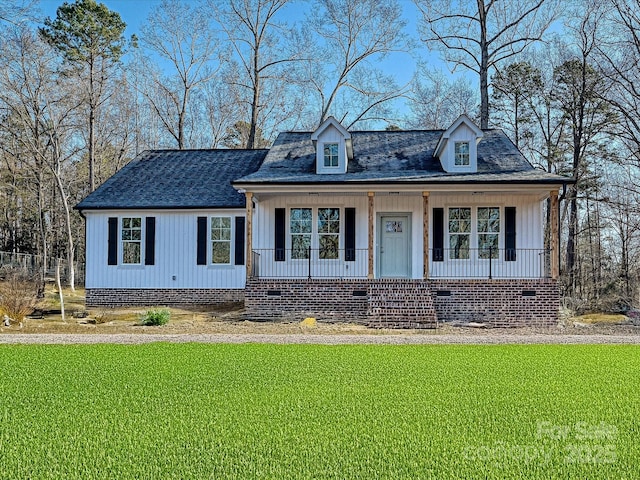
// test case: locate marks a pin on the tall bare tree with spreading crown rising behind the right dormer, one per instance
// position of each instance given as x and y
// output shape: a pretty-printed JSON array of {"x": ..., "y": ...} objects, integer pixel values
[{"x": 480, "y": 35}]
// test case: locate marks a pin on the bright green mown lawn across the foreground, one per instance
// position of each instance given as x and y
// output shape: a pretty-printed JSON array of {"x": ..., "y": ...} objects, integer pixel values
[{"x": 307, "y": 411}]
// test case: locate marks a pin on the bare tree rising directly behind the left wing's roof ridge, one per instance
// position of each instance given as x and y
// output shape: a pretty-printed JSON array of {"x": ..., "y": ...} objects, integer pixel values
[{"x": 180, "y": 34}]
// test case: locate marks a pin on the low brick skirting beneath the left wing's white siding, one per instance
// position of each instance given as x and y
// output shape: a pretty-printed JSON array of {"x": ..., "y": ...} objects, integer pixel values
[{"x": 123, "y": 297}]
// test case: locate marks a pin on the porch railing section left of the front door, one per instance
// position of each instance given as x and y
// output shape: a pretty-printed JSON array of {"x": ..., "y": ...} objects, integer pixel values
[{"x": 310, "y": 263}]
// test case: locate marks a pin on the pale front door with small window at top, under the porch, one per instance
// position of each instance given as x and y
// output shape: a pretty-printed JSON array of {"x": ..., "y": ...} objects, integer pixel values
[{"x": 395, "y": 250}]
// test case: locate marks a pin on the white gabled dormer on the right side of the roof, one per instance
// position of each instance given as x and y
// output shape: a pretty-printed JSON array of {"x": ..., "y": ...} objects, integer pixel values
[{"x": 457, "y": 148}]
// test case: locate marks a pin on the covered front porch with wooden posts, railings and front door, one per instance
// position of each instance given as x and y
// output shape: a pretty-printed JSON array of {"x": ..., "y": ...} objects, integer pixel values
[{"x": 406, "y": 235}]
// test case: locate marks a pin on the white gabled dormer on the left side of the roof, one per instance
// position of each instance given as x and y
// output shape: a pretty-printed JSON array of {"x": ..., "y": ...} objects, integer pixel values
[{"x": 333, "y": 147}]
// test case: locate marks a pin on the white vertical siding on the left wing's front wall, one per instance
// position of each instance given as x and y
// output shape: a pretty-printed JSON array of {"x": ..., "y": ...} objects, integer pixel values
[{"x": 175, "y": 253}]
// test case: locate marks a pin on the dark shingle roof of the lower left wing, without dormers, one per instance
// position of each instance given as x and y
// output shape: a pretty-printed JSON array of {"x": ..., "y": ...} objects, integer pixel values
[{"x": 177, "y": 179}]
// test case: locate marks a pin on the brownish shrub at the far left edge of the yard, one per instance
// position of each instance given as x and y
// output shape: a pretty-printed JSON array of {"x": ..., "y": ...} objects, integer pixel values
[{"x": 18, "y": 294}]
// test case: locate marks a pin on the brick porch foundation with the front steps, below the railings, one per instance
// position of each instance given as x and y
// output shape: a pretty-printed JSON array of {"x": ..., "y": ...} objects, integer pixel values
[{"x": 407, "y": 303}]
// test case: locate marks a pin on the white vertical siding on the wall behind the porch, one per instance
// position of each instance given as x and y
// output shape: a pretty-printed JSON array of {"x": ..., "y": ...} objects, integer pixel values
[{"x": 529, "y": 221}]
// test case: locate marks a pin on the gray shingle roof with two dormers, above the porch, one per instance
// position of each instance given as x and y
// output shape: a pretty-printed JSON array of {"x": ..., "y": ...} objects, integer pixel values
[{"x": 396, "y": 157}]
